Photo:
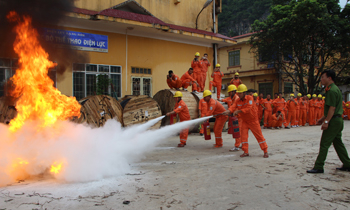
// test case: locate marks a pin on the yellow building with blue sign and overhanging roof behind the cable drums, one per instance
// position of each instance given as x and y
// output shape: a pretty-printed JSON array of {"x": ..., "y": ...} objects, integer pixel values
[{"x": 135, "y": 43}]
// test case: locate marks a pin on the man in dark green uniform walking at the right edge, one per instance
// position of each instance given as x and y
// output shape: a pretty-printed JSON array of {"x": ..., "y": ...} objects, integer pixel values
[{"x": 332, "y": 125}]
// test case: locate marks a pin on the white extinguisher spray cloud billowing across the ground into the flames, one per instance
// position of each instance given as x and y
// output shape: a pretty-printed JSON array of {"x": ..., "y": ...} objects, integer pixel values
[{"x": 86, "y": 153}]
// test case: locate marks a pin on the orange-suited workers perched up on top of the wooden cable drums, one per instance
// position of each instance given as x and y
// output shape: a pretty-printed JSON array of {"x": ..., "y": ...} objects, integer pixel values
[{"x": 197, "y": 75}]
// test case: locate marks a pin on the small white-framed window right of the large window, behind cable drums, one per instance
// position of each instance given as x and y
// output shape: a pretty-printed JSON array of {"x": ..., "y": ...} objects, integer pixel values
[{"x": 141, "y": 86}]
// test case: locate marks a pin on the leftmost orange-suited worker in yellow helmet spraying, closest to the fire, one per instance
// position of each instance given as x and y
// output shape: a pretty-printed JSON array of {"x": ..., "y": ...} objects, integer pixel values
[{"x": 182, "y": 110}]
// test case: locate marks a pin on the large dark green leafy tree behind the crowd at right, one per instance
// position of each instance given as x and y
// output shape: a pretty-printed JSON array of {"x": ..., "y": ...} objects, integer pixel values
[{"x": 303, "y": 38}]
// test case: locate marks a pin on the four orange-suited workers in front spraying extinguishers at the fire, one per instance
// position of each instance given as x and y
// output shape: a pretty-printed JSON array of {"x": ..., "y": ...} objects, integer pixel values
[{"x": 241, "y": 105}]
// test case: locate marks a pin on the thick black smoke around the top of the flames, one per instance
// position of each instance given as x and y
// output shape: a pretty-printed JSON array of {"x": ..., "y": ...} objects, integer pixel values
[{"x": 44, "y": 14}]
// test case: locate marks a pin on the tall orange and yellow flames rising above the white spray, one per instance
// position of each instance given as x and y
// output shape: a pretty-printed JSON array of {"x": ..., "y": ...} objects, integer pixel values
[{"x": 37, "y": 98}]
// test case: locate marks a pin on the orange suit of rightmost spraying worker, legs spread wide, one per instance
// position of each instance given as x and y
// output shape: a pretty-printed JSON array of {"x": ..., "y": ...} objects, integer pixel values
[{"x": 249, "y": 121}]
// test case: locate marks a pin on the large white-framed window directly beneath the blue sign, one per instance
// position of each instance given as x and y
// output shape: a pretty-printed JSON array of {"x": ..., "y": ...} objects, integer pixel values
[{"x": 85, "y": 79}]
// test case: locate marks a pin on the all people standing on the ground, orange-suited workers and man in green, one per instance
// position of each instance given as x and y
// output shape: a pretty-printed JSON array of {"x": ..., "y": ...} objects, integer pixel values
[{"x": 317, "y": 111}]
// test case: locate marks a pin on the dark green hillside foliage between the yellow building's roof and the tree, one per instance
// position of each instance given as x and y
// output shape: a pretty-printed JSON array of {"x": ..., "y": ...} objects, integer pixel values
[{"x": 238, "y": 15}]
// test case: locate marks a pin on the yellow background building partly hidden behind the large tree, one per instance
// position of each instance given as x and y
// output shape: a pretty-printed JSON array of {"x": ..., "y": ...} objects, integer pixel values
[{"x": 256, "y": 74}]
